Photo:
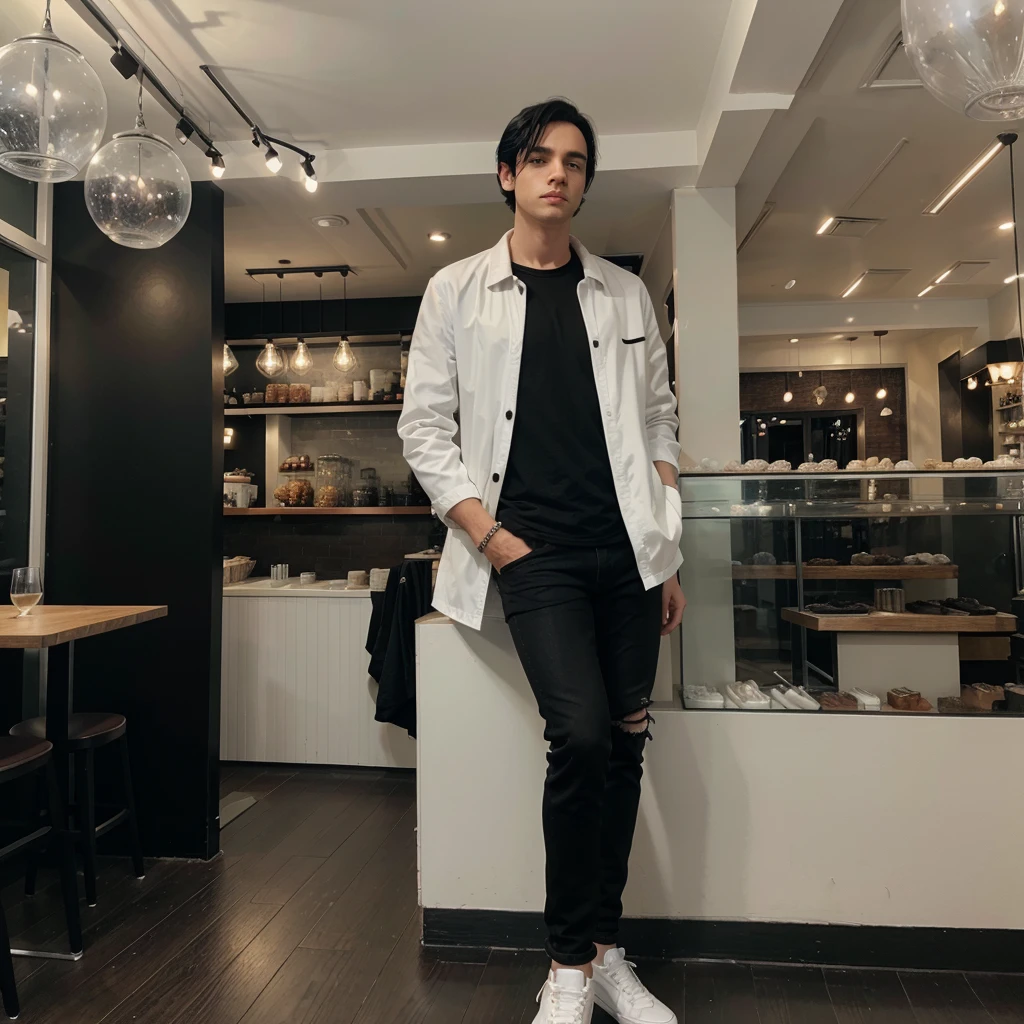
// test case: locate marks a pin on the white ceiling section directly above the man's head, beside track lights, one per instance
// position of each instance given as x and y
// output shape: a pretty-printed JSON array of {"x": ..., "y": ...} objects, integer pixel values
[{"x": 354, "y": 73}]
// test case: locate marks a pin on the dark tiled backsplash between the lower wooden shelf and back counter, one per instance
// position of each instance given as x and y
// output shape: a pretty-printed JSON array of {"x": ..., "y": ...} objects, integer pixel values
[{"x": 329, "y": 546}]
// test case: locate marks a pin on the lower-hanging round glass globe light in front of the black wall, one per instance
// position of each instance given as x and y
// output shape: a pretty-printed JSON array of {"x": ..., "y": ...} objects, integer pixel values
[{"x": 137, "y": 189}]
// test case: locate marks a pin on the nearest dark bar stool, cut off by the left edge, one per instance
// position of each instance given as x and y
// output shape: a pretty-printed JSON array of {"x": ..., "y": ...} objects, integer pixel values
[{"x": 22, "y": 756}]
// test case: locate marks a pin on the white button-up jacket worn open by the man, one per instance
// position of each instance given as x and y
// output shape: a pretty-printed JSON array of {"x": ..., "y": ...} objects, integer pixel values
[{"x": 465, "y": 360}]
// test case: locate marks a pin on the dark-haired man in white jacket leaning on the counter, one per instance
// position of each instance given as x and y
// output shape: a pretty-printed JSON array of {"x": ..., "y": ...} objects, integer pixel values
[{"x": 560, "y": 485}]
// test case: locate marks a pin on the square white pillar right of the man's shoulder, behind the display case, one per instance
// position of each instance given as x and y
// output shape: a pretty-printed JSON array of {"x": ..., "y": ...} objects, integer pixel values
[{"x": 708, "y": 388}]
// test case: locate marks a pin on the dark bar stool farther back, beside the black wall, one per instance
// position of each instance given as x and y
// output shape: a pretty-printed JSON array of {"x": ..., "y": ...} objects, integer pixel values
[{"x": 87, "y": 734}]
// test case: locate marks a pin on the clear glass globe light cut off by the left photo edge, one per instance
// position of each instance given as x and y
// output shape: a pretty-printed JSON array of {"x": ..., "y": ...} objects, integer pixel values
[{"x": 53, "y": 108}]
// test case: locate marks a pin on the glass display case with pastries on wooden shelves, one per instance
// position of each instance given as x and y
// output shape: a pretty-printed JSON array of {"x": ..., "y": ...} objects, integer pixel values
[{"x": 854, "y": 591}]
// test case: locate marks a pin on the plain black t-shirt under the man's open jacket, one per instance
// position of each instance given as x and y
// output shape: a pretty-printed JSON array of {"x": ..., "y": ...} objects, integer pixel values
[{"x": 559, "y": 485}]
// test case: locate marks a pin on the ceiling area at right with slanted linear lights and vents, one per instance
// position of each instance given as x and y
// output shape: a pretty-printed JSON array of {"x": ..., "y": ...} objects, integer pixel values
[{"x": 816, "y": 158}]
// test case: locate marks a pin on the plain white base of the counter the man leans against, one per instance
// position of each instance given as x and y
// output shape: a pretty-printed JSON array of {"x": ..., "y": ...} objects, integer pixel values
[{"x": 746, "y": 817}]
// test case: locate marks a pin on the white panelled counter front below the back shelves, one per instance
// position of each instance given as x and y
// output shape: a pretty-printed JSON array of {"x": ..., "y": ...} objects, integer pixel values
[{"x": 294, "y": 682}]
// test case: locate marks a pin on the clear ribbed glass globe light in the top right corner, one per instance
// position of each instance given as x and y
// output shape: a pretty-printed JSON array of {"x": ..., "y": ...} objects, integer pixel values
[{"x": 969, "y": 55}]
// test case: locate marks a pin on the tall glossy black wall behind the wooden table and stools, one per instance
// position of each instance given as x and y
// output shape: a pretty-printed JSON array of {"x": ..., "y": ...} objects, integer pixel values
[{"x": 135, "y": 501}]
